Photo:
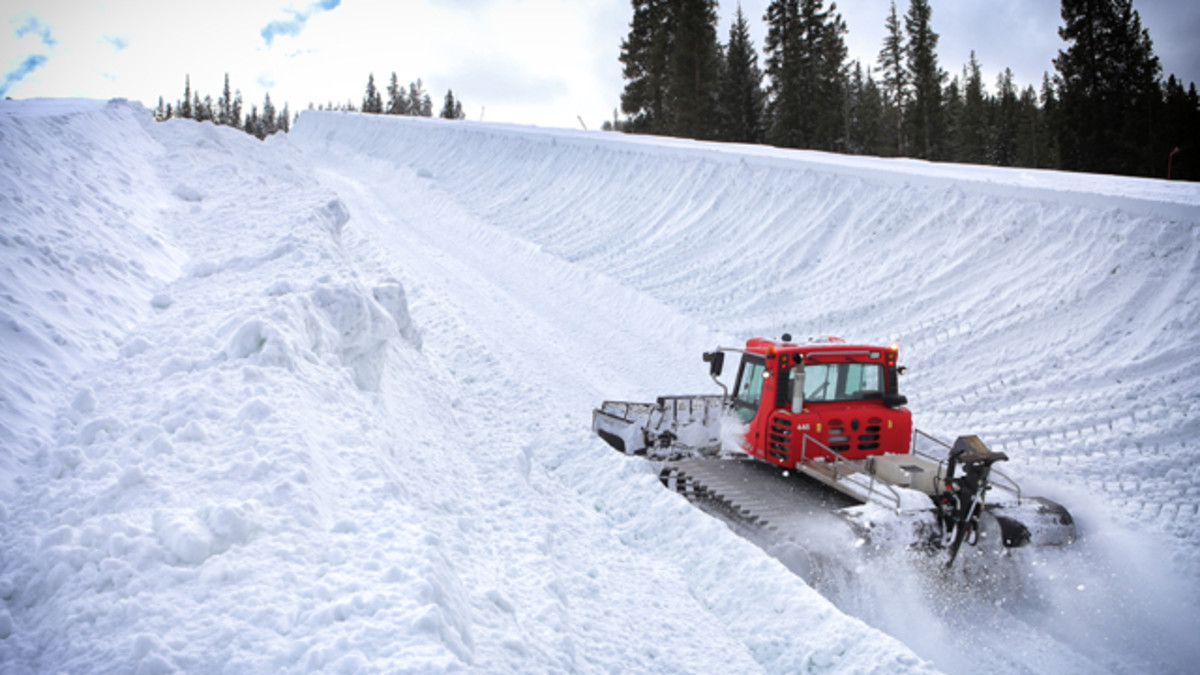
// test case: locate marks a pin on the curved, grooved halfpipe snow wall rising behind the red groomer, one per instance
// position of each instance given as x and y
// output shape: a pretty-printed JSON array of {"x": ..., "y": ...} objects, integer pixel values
[{"x": 1055, "y": 315}]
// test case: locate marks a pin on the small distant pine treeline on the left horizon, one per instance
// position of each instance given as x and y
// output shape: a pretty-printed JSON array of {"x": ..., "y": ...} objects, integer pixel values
[{"x": 229, "y": 109}]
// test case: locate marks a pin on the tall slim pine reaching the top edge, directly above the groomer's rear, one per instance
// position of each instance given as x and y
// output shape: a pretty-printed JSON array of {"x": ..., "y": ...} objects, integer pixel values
[{"x": 926, "y": 112}]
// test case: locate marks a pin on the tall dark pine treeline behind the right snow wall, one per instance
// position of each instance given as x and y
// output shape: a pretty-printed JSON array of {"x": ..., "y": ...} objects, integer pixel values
[{"x": 1106, "y": 109}]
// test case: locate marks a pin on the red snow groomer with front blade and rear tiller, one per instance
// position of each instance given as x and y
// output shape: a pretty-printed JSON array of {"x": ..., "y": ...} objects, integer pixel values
[{"x": 835, "y": 414}]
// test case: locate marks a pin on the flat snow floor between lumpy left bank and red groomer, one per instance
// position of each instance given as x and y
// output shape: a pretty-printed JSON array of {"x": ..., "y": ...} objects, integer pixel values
[{"x": 515, "y": 330}]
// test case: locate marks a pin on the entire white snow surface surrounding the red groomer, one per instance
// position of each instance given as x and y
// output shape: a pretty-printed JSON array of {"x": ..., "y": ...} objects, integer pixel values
[{"x": 322, "y": 404}]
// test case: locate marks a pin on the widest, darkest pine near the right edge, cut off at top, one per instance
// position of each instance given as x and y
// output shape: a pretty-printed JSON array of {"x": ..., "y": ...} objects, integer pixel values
[{"x": 1109, "y": 92}]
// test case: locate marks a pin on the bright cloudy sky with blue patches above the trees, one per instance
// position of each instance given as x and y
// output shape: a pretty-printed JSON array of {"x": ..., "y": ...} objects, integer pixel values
[{"x": 547, "y": 63}]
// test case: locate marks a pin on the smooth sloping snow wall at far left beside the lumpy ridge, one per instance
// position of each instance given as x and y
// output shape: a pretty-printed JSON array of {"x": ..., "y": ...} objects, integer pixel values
[{"x": 81, "y": 253}]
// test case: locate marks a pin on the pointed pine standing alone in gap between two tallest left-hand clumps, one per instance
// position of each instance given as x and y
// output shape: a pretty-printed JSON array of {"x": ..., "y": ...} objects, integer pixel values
[{"x": 743, "y": 101}]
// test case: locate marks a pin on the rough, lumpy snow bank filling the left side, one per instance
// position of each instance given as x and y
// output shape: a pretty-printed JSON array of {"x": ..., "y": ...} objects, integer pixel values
[{"x": 206, "y": 493}]
